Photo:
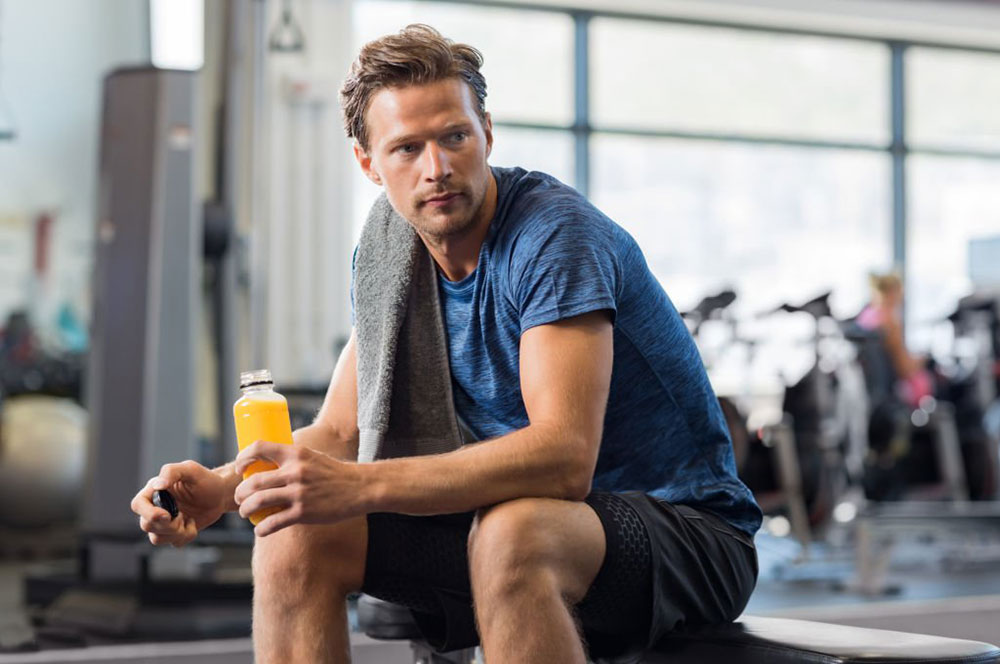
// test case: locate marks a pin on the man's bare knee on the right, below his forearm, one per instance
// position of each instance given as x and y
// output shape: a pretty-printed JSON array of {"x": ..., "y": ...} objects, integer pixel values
[{"x": 512, "y": 548}]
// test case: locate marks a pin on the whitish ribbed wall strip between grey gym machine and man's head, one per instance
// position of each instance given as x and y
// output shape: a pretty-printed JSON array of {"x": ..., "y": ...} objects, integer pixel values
[{"x": 294, "y": 199}]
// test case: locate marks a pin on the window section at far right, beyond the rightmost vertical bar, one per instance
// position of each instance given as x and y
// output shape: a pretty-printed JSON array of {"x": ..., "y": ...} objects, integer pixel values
[{"x": 953, "y": 183}]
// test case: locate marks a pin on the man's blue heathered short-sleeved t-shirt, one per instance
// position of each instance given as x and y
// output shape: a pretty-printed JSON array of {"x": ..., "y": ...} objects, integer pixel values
[{"x": 550, "y": 254}]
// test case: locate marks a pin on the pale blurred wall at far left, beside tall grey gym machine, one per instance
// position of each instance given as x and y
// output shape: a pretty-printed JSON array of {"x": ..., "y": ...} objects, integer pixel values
[{"x": 53, "y": 56}]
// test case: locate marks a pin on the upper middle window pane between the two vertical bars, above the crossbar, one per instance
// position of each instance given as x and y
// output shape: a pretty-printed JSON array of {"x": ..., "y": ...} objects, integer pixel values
[{"x": 656, "y": 75}]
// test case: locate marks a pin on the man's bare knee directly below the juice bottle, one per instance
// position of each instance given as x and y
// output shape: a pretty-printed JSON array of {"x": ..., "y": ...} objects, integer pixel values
[{"x": 301, "y": 558}]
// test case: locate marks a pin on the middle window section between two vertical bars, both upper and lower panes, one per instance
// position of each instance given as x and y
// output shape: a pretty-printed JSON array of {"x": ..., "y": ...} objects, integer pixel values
[{"x": 744, "y": 159}]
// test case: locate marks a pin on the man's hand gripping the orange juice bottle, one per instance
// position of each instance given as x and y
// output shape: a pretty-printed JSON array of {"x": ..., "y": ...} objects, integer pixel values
[{"x": 308, "y": 486}]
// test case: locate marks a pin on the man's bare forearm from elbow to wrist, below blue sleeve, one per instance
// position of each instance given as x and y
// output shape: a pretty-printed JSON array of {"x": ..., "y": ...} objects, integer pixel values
[{"x": 537, "y": 461}]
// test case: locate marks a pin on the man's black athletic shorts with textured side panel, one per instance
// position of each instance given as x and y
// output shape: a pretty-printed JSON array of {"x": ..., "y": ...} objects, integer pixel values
[{"x": 666, "y": 568}]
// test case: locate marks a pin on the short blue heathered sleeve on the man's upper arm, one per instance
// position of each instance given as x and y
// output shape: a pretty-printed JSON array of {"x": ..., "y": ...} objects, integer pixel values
[{"x": 563, "y": 267}]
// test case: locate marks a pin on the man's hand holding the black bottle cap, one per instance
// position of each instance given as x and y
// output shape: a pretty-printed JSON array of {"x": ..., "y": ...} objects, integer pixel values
[{"x": 201, "y": 499}]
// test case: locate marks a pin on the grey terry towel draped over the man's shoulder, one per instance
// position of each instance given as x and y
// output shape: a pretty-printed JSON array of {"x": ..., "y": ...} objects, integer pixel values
[{"x": 405, "y": 405}]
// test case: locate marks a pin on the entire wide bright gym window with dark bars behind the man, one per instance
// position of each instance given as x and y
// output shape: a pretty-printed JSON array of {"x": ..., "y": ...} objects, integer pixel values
[{"x": 781, "y": 165}]
